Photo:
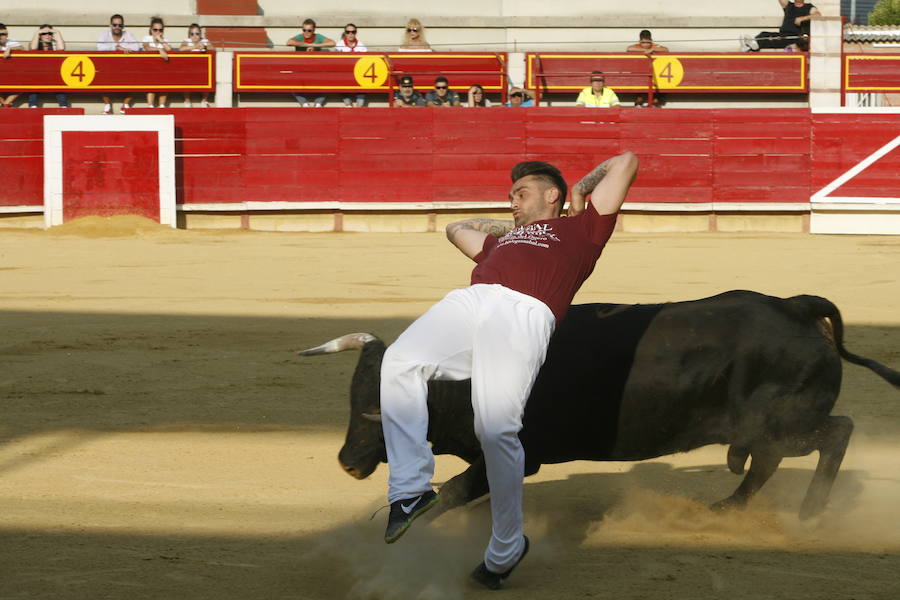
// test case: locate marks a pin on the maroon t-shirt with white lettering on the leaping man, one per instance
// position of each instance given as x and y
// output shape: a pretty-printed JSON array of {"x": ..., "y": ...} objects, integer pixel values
[{"x": 547, "y": 260}]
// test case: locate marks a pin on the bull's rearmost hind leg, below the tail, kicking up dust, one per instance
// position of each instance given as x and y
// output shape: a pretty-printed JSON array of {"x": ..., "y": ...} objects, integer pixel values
[{"x": 831, "y": 441}]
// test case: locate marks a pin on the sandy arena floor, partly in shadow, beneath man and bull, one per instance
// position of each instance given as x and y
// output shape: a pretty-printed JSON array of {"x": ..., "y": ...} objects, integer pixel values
[{"x": 159, "y": 438}]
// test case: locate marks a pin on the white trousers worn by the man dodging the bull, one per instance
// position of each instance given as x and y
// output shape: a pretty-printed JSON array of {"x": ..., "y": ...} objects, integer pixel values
[{"x": 498, "y": 338}]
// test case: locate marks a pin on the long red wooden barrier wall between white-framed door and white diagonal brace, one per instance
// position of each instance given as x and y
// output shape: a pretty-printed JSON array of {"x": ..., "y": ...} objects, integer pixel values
[{"x": 437, "y": 156}]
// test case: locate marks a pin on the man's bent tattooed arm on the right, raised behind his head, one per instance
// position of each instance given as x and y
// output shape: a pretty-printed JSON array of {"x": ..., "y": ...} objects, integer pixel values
[{"x": 607, "y": 185}]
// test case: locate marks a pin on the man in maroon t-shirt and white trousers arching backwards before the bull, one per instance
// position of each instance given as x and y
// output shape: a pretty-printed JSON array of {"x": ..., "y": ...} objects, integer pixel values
[{"x": 496, "y": 332}]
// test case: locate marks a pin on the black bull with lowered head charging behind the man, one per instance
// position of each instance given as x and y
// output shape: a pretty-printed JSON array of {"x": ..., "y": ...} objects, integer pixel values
[{"x": 628, "y": 382}]
